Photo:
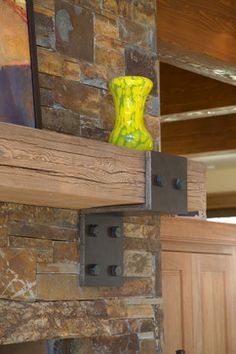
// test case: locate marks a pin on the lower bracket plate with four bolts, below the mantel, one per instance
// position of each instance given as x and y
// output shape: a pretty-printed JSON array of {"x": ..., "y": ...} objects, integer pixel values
[{"x": 101, "y": 250}]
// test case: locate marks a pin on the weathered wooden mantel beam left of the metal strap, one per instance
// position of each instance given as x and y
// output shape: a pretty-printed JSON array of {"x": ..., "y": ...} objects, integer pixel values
[{"x": 45, "y": 168}]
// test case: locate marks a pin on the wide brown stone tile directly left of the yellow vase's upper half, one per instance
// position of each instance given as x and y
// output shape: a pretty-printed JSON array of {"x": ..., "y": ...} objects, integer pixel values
[{"x": 77, "y": 97}]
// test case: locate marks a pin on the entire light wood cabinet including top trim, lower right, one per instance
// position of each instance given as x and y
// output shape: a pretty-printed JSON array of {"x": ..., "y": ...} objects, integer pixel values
[{"x": 198, "y": 286}]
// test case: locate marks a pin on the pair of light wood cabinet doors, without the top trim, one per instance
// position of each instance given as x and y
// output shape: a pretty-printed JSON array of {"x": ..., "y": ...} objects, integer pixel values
[{"x": 198, "y": 303}]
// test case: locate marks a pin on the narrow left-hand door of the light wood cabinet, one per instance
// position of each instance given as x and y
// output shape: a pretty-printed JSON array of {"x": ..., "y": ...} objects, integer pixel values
[{"x": 177, "y": 302}]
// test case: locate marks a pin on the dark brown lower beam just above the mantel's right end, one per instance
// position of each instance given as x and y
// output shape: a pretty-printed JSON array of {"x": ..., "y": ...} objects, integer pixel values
[{"x": 199, "y": 135}]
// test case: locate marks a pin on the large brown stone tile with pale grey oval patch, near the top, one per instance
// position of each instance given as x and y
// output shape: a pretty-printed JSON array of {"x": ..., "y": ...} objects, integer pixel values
[{"x": 74, "y": 31}]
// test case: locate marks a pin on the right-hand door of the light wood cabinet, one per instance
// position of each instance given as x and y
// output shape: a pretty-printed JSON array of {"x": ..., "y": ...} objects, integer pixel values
[{"x": 213, "y": 304}]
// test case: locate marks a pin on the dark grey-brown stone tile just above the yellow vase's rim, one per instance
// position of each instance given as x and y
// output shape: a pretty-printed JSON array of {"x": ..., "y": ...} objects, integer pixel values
[{"x": 141, "y": 63}]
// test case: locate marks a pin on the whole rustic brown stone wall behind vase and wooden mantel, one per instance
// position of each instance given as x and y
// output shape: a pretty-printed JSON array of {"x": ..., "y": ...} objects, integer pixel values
[{"x": 81, "y": 45}]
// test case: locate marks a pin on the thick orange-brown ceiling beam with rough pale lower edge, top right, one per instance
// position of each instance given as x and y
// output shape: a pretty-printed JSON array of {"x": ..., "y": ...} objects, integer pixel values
[{"x": 198, "y": 36}]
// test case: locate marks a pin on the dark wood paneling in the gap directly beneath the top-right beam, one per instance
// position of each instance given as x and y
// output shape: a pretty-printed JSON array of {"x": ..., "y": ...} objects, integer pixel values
[{"x": 184, "y": 91}]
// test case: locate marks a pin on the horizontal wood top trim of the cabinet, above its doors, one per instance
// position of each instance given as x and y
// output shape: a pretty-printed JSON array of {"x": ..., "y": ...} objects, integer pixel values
[{"x": 195, "y": 231}]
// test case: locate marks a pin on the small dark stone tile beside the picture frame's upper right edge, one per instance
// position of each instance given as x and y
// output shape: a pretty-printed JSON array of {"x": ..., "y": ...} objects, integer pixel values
[{"x": 45, "y": 31}]
